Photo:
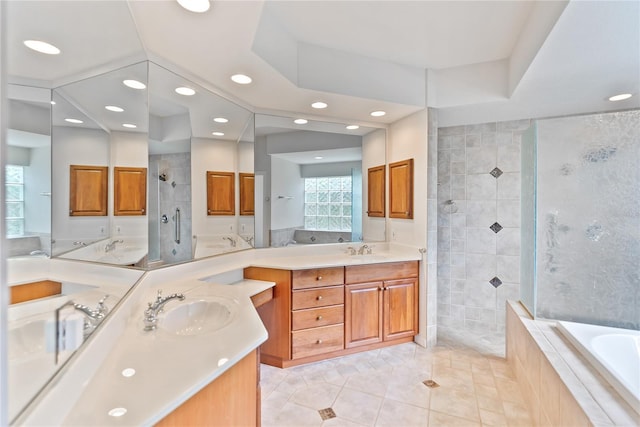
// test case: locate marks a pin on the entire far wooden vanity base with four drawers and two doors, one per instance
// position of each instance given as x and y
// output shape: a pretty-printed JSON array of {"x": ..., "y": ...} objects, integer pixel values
[{"x": 320, "y": 313}]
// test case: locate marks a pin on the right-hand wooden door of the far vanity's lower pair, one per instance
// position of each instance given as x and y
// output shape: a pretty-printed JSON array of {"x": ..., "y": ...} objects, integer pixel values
[{"x": 400, "y": 308}]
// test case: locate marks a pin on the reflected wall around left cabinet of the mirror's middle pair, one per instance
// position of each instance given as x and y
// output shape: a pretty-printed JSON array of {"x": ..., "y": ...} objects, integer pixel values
[{"x": 210, "y": 155}]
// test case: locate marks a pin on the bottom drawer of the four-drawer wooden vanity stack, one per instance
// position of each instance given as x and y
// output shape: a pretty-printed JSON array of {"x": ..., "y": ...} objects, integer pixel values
[{"x": 314, "y": 341}]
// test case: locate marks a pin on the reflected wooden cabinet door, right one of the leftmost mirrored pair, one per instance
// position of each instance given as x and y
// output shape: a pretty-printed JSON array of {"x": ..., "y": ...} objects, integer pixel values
[{"x": 129, "y": 191}]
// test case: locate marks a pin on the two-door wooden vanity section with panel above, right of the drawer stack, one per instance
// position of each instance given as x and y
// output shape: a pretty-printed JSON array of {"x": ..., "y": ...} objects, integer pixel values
[{"x": 379, "y": 311}]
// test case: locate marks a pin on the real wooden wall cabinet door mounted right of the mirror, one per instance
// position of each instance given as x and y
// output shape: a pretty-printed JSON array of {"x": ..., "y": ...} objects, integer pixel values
[{"x": 401, "y": 189}]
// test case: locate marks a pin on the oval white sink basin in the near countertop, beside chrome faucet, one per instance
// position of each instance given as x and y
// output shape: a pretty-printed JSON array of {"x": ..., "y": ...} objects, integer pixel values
[{"x": 197, "y": 317}]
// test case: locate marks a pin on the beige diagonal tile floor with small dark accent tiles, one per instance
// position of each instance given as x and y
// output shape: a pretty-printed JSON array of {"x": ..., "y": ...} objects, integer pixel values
[{"x": 386, "y": 388}]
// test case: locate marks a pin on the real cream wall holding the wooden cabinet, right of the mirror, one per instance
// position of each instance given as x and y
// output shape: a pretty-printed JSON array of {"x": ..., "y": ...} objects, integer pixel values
[{"x": 408, "y": 139}]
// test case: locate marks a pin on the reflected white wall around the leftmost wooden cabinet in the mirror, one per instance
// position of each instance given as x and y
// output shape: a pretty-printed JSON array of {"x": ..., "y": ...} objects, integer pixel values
[{"x": 75, "y": 146}]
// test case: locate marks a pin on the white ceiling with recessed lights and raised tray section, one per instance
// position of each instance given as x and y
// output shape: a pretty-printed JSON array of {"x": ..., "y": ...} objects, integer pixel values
[{"x": 473, "y": 60}]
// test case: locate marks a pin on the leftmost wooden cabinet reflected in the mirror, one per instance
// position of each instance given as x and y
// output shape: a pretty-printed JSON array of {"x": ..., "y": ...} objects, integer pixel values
[{"x": 88, "y": 192}]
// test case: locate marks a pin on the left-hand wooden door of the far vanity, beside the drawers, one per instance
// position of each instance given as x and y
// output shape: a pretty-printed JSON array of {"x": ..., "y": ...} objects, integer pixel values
[{"x": 363, "y": 314}]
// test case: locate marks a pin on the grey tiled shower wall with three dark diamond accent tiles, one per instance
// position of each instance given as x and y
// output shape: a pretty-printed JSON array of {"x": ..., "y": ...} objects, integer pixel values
[{"x": 478, "y": 204}]
